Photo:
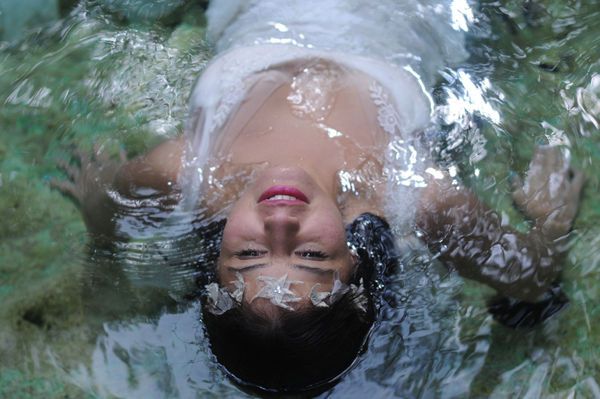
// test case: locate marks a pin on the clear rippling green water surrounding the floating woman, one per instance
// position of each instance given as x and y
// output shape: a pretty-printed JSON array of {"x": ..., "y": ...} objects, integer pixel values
[{"x": 83, "y": 323}]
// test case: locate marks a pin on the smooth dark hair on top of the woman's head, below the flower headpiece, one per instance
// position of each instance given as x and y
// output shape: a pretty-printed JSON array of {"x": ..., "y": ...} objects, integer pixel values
[{"x": 297, "y": 351}]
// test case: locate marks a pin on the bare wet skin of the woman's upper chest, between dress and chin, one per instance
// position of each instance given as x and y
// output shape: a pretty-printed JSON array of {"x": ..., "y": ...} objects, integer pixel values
[{"x": 268, "y": 130}]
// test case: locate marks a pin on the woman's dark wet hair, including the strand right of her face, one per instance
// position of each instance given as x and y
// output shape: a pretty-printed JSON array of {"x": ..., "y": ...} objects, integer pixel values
[{"x": 309, "y": 349}]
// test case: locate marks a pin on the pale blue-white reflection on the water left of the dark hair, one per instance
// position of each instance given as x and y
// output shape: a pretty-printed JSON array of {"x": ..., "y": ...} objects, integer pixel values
[{"x": 148, "y": 358}]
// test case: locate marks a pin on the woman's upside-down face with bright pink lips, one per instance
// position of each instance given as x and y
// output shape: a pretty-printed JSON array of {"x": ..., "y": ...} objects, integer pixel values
[{"x": 285, "y": 224}]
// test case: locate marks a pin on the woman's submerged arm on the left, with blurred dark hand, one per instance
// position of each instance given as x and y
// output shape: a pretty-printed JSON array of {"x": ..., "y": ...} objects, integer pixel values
[{"x": 106, "y": 190}]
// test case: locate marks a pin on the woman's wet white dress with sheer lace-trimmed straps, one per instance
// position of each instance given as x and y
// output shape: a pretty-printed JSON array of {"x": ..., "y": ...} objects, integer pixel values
[{"x": 399, "y": 44}]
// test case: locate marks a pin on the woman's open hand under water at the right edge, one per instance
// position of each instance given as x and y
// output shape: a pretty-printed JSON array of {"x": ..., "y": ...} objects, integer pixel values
[{"x": 551, "y": 192}]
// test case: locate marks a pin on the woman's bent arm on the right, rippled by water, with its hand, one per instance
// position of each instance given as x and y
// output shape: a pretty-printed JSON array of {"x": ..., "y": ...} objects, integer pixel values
[{"x": 472, "y": 239}]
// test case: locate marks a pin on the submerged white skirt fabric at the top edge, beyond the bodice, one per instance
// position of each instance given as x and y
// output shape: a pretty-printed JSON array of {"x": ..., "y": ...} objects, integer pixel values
[{"x": 418, "y": 33}]
